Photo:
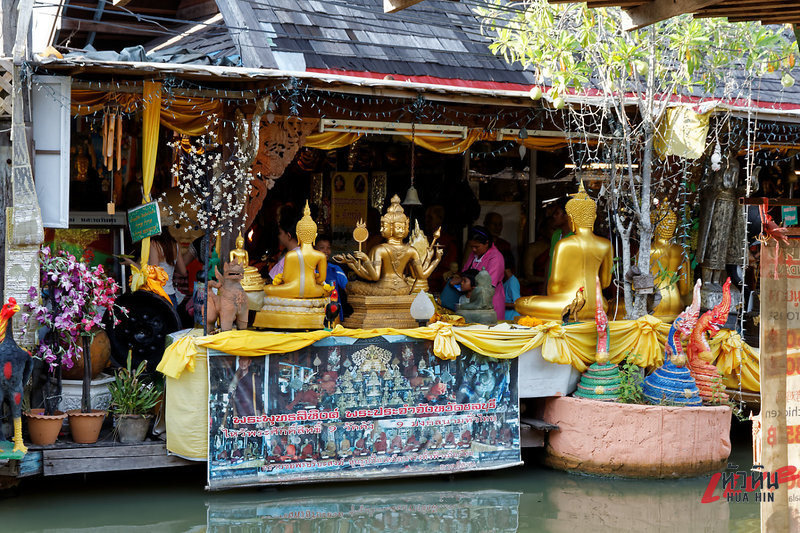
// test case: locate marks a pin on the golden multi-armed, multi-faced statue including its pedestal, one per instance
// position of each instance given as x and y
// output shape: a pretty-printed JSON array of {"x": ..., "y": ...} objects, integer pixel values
[{"x": 393, "y": 269}]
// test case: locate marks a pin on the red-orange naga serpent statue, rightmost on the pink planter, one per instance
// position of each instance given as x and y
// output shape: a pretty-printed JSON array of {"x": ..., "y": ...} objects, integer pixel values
[{"x": 704, "y": 372}]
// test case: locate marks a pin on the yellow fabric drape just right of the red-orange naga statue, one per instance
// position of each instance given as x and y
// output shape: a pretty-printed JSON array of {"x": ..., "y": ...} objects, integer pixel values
[{"x": 726, "y": 349}]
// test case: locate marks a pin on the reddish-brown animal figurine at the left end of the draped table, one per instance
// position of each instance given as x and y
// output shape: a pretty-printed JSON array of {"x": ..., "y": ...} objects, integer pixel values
[{"x": 230, "y": 302}]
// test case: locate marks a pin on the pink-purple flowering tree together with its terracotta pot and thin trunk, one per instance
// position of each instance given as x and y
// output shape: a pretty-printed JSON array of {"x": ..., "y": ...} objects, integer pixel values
[{"x": 69, "y": 310}]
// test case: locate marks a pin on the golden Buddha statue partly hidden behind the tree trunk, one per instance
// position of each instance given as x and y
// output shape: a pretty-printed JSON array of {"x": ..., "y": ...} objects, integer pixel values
[{"x": 670, "y": 268}]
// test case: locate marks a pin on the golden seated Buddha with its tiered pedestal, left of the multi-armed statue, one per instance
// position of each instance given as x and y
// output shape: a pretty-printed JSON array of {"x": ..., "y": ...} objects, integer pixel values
[{"x": 297, "y": 297}]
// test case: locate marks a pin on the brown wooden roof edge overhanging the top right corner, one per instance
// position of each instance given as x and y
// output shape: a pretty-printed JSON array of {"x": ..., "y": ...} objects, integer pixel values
[{"x": 640, "y": 14}]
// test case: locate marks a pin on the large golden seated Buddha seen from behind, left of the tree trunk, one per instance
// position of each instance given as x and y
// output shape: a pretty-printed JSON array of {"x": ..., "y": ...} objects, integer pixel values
[{"x": 577, "y": 261}]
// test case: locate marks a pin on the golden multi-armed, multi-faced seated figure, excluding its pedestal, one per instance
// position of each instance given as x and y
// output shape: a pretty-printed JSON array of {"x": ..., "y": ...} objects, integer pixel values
[{"x": 392, "y": 267}]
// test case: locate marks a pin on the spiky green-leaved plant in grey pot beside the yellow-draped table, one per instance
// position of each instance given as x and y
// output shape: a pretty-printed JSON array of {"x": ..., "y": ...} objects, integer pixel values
[{"x": 133, "y": 396}]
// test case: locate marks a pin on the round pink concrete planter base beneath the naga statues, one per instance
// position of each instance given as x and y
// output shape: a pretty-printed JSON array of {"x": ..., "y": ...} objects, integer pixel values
[{"x": 643, "y": 441}]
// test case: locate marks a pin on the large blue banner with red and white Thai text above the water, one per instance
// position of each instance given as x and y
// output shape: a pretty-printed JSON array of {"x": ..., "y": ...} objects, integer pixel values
[{"x": 356, "y": 409}]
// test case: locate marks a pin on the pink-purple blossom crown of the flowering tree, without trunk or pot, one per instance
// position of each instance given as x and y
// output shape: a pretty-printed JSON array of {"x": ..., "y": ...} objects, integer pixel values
[{"x": 73, "y": 300}]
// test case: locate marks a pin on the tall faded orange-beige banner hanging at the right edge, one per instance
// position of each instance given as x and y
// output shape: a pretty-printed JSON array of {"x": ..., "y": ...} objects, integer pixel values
[{"x": 780, "y": 384}]
